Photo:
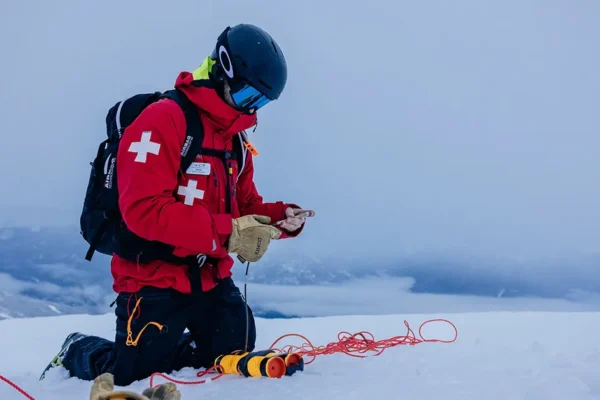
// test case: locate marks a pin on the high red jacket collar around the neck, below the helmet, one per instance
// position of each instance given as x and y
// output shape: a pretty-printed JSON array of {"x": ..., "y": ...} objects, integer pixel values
[{"x": 225, "y": 119}]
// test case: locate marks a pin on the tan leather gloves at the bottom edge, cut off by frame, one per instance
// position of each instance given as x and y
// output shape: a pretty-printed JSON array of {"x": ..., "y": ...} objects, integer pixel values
[{"x": 103, "y": 388}]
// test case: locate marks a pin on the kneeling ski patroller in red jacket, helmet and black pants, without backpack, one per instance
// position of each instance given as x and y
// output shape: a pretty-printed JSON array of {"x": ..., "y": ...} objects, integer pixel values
[{"x": 206, "y": 212}]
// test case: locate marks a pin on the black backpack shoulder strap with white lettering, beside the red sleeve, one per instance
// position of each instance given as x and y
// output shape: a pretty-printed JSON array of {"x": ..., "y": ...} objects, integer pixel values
[{"x": 194, "y": 135}]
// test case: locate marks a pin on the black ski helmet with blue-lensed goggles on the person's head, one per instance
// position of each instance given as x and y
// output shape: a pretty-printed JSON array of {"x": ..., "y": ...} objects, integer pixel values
[{"x": 253, "y": 65}]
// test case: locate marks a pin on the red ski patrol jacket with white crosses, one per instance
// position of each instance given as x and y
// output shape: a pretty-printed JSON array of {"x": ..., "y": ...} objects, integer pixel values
[{"x": 185, "y": 210}]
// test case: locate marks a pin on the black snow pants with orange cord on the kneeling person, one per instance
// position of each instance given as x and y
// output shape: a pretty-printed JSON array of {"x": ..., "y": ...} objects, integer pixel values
[{"x": 216, "y": 320}]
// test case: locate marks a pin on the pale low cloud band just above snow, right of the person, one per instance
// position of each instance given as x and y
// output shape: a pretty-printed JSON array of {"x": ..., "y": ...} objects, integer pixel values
[{"x": 392, "y": 296}]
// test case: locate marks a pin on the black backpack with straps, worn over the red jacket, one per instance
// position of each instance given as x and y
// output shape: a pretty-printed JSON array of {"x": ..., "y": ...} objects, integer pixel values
[{"x": 101, "y": 223}]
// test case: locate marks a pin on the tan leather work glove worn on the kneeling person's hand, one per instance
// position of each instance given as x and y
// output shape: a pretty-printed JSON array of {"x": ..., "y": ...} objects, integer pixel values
[{"x": 251, "y": 236}]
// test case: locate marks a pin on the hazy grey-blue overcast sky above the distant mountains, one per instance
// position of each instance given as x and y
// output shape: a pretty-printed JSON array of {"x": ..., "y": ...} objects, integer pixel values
[{"x": 467, "y": 127}]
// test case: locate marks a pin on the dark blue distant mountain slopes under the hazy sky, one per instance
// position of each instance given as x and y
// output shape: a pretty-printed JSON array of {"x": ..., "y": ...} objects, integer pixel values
[{"x": 44, "y": 268}]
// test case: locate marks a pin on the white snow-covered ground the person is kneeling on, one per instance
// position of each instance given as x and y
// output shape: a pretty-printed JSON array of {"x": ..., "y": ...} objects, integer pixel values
[{"x": 498, "y": 355}]
